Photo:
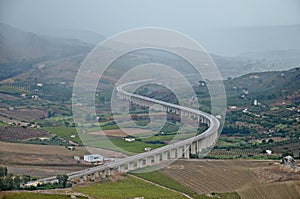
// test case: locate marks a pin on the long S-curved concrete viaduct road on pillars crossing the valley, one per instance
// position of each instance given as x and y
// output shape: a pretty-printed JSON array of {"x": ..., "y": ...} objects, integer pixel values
[{"x": 181, "y": 148}]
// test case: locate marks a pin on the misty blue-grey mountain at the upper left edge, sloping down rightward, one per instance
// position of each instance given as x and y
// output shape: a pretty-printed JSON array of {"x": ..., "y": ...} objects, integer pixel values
[{"x": 20, "y": 50}]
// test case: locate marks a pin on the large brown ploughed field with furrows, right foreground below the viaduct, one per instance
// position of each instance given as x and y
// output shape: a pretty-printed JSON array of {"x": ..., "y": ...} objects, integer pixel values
[{"x": 207, "y": 176}]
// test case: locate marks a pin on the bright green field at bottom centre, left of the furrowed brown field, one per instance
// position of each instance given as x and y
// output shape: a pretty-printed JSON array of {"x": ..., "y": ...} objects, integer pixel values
[{"x": 128, "y": 187}]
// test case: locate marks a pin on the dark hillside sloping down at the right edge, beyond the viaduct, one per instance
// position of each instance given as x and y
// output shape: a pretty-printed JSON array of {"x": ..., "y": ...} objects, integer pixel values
[{"x": 267, "y": 86}]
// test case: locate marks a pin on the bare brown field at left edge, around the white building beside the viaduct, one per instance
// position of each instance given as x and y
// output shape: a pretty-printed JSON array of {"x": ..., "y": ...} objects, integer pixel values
[{"x": 44, "y": 160}]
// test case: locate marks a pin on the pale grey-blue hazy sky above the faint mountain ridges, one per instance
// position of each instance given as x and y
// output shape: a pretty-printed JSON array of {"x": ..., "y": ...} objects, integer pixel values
[{"x": 111, "y": 16}]
